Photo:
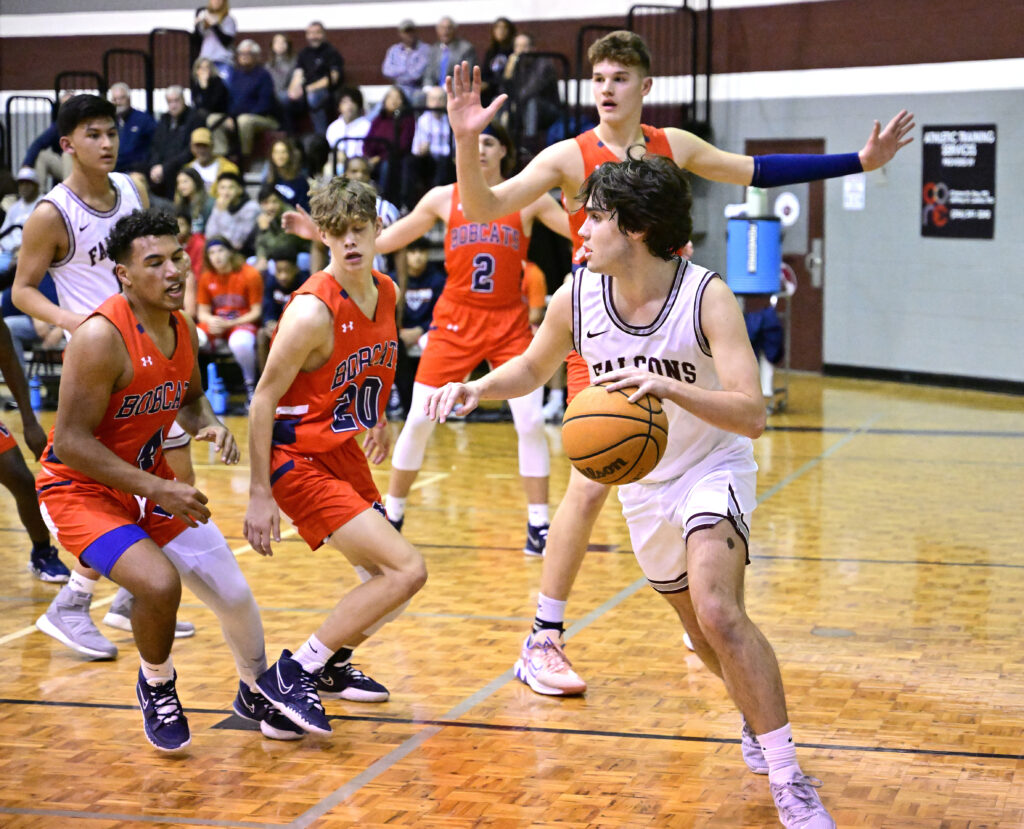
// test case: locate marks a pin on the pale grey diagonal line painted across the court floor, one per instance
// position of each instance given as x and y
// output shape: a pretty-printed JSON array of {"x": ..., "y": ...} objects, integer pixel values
[{"x": 389, "y": 761}]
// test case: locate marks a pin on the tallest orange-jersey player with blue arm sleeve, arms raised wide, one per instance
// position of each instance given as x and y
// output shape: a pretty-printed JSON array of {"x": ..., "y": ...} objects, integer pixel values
[{"x": 621, "y": 79}]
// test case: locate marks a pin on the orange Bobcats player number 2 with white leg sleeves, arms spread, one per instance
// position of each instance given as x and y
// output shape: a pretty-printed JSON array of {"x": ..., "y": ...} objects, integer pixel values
[{"x": 482, "y": 316}]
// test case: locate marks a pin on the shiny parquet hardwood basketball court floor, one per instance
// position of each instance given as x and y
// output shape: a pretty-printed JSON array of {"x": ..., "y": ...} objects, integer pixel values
[{"x": 887, "y": 572}]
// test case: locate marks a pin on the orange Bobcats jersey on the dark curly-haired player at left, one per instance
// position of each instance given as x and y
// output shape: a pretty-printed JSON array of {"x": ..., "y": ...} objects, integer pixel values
[{"x": 139, "y": 416}]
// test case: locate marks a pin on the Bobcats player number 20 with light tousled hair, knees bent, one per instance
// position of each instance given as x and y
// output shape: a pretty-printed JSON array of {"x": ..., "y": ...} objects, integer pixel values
[{"x": 328, "y": 378}]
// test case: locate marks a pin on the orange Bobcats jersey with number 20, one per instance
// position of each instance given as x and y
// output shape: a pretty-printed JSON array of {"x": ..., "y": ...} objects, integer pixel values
[{"x": 349, "y": 394}]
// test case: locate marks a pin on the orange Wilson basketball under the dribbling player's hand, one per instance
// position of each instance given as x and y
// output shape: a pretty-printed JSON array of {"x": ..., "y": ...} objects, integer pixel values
[{"x": 612, "y": 441}]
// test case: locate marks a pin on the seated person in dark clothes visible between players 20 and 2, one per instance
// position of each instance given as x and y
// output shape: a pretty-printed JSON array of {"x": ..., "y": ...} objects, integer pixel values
[{"x": 424, "y": 283}]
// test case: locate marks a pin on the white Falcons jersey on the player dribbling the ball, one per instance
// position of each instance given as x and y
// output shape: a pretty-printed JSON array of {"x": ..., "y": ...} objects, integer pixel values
[{"x": 673, "y": 345}]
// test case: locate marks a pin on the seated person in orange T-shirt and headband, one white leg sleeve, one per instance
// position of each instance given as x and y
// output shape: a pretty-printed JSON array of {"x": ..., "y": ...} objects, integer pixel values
[{"x": 229, "y": 306}]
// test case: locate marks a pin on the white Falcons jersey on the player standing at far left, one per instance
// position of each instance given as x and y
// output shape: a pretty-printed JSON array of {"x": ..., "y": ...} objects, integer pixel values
[{"x": 84, "y": 278}]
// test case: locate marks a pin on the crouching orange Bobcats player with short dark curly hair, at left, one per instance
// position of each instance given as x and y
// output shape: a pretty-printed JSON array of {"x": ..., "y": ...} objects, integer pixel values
[{"x": 110, "y": 495}]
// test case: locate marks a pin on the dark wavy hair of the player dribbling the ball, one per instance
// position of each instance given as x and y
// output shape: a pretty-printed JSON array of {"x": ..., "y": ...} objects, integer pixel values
[{"x": 649, "y": 195}]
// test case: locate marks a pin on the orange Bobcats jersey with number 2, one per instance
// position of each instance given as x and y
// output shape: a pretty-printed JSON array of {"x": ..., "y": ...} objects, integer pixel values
[{"x": 484, "y": 259}]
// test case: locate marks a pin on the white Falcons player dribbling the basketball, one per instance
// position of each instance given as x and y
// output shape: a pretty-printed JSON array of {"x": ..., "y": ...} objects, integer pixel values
[{"x": 652, "y": 318}]
